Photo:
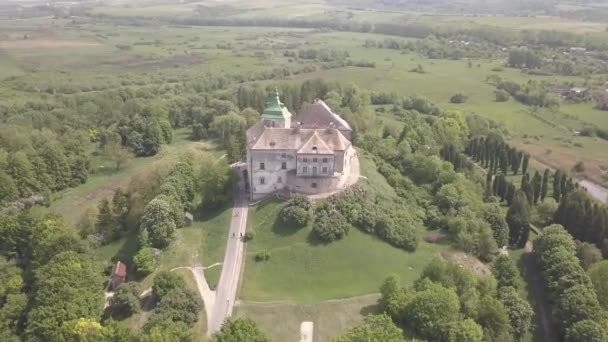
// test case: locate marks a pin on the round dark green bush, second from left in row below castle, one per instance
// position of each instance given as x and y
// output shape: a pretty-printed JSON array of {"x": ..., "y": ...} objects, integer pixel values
[{"x": 330, "y": 224}]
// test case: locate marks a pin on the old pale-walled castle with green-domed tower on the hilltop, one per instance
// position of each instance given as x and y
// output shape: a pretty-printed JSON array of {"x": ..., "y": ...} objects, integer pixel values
[{"x": 311, "y": 154}]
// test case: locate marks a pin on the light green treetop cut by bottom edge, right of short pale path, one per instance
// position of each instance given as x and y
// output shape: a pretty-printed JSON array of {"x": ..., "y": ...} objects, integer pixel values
[{"x": 374, "y": 328}]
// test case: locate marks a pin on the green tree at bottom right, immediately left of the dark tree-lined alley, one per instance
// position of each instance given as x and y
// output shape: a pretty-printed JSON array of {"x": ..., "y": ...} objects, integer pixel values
[{"x": 519, "y": 311}]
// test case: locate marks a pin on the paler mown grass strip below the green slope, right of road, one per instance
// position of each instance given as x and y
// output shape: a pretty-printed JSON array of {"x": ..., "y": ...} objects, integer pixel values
[{"x": 330, "y": 318}]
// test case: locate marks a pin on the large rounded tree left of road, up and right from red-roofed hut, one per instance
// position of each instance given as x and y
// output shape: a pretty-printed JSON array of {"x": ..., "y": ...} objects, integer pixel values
[{"x": 158, "y": 222}]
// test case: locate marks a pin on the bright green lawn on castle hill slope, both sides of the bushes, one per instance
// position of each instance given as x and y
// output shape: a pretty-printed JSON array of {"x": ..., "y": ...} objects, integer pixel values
[{"x": 302, "y": 270}]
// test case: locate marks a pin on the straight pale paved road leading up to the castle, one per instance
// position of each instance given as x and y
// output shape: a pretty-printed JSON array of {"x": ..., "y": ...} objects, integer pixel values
[{"x": 231, "y": 269}]
